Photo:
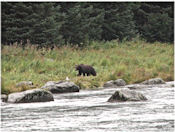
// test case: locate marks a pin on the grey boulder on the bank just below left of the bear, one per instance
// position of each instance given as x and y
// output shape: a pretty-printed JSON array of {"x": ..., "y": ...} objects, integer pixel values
[{"x": 61, "y": 87}]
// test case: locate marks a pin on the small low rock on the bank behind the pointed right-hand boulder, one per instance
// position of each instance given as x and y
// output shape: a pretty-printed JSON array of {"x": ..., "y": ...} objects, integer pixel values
[{"x": 115, "y": 83}]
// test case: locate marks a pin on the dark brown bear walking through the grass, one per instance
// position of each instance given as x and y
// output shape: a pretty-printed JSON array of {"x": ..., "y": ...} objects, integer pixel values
[{"x": 85, "y": 69}]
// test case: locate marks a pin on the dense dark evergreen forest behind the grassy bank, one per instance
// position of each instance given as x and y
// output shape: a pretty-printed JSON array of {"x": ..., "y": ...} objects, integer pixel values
[{"x": 59, "y": 23}]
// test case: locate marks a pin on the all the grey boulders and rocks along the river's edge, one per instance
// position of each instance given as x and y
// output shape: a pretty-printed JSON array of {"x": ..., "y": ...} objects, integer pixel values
[{"x": 45, "y": 93}]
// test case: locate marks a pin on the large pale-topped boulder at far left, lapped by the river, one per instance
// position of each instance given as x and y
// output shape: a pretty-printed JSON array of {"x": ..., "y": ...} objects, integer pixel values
[{"x": 29, "y": 96}]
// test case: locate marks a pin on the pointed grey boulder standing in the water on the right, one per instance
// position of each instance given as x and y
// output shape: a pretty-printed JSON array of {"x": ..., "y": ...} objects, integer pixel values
[{"x": 126, "y": 95}]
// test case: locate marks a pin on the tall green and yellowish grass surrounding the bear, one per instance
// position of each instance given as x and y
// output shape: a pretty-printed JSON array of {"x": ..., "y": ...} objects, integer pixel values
[{"x": 133, "y": 61}]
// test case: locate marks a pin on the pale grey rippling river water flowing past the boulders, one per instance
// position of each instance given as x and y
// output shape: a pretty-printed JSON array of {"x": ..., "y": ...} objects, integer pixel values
[{"x": 89, "y": 111}]
